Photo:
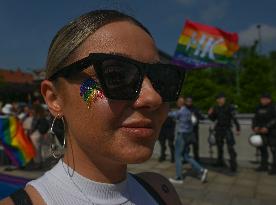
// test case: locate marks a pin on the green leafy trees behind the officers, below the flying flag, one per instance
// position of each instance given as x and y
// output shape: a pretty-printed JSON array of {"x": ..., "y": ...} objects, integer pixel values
[{"x": 254, "y": 75}]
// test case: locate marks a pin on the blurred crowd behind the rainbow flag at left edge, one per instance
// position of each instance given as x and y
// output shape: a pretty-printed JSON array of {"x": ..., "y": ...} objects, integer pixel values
[{"x": 35, "y": 120}]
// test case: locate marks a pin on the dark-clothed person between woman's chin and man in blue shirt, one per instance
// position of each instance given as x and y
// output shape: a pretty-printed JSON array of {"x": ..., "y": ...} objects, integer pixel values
[{"x": 167, "y": 134}]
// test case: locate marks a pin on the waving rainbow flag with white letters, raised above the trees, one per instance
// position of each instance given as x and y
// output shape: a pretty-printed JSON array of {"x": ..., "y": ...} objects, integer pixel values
[{"x": 201, "y": 46}]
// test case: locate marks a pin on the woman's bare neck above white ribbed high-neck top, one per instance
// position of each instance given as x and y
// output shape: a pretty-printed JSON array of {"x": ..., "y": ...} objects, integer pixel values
[{"x": 95, "y": 167}]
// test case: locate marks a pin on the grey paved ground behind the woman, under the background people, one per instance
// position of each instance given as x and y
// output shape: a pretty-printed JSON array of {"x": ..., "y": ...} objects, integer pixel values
[{"x": 223, "y": 188}]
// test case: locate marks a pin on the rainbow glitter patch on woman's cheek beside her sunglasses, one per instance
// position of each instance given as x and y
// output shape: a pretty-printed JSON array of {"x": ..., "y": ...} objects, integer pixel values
[{"x": 90, "y": 91}]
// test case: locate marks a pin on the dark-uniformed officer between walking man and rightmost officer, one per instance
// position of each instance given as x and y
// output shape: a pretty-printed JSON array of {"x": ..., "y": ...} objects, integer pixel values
[{"x": 224, "y": 114}]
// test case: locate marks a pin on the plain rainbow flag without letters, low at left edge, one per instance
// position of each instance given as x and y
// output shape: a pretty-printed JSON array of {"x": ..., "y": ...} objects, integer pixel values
[{"x": 16, "y": 144}]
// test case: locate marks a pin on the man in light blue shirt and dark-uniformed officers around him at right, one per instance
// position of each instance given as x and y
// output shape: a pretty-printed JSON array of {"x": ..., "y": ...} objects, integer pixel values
[{"x": 181, "y": 130}]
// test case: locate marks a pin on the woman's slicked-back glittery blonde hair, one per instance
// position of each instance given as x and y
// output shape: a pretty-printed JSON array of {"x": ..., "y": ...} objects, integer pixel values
[{"x": 73, "y": 34}]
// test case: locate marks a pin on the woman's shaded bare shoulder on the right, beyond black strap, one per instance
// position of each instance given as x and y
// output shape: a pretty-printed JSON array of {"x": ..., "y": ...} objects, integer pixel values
[{"x": 162, "y": 186}]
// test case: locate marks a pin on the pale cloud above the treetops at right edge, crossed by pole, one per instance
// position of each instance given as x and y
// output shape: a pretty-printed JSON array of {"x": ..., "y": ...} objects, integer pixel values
[{"x": 249, "y": 35}]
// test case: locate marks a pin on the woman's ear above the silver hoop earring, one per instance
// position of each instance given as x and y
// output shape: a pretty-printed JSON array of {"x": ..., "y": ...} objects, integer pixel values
[{"x": 52, "y": 99}]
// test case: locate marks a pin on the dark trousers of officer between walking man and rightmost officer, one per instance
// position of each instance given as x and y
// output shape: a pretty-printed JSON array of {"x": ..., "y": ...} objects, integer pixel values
[{"x": 225, "y": 135}]
